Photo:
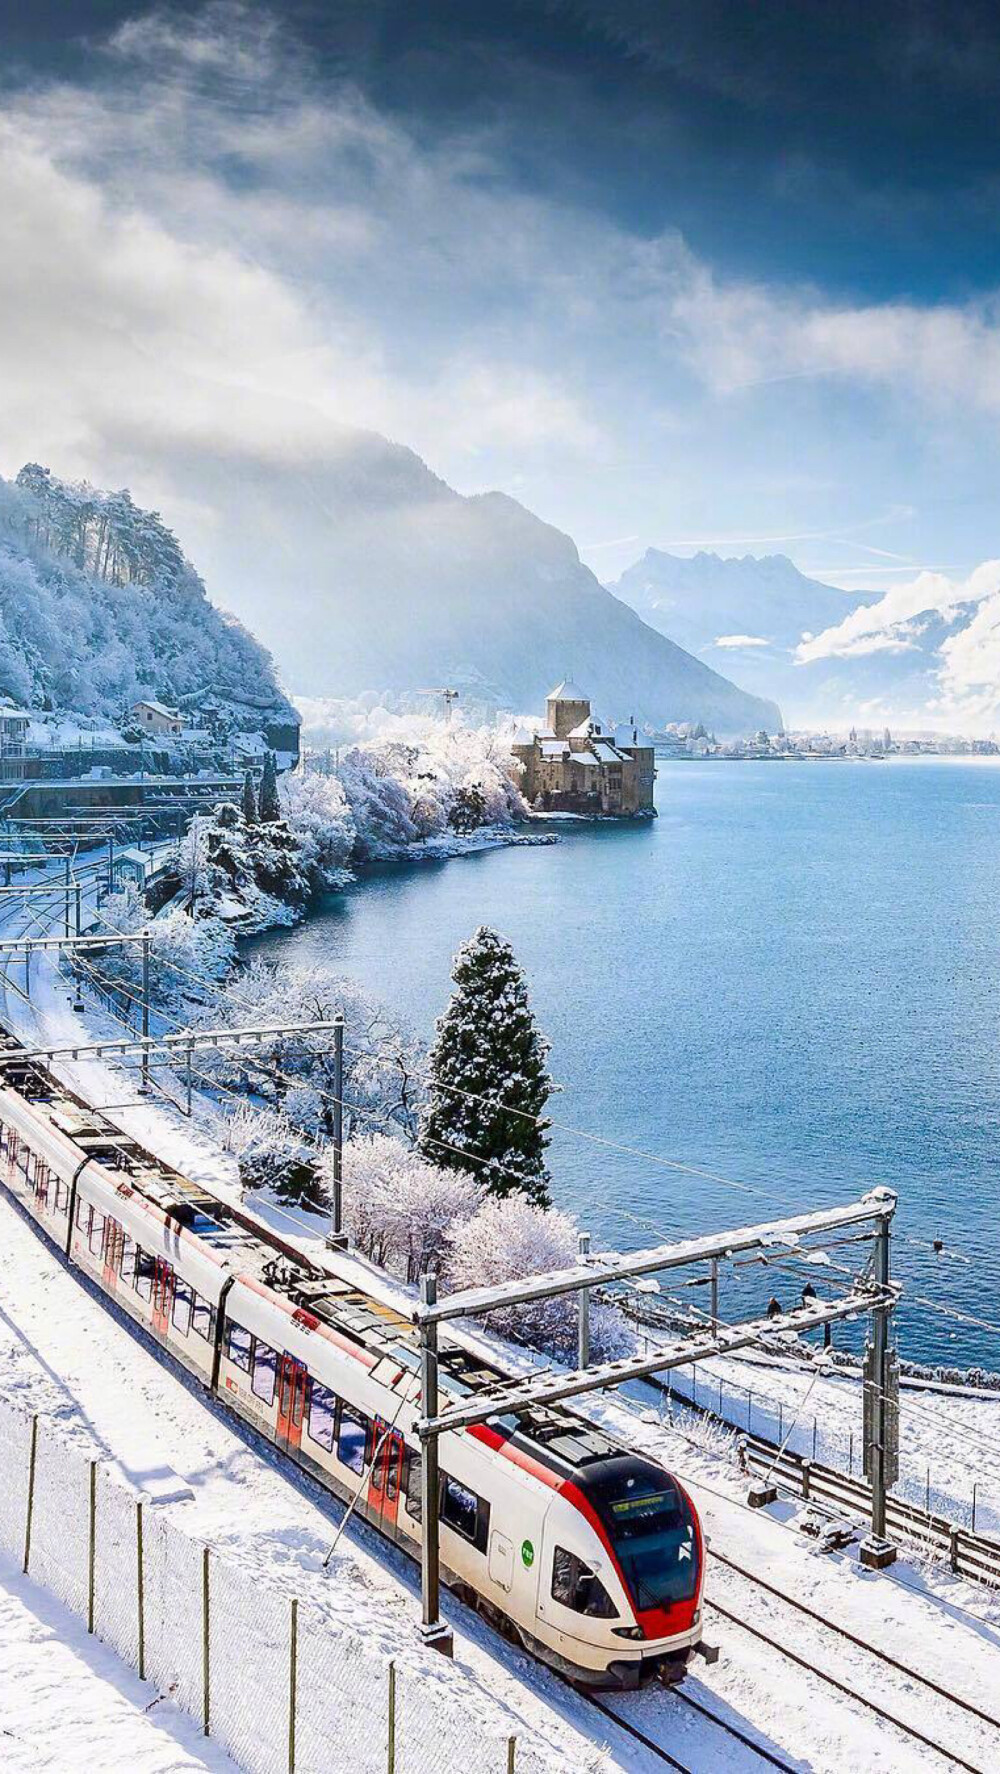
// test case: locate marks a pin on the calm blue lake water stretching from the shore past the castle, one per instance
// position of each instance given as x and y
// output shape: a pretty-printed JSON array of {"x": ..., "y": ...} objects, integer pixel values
[{"x": 790, "y": 980}]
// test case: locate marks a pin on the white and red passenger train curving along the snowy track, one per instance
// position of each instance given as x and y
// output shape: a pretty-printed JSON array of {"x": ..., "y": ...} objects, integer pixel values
[{"x": 586, "y": 1553}]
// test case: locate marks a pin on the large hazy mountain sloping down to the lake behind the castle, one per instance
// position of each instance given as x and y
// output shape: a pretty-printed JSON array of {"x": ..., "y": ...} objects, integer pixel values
[{"x": 368, "y": 574}]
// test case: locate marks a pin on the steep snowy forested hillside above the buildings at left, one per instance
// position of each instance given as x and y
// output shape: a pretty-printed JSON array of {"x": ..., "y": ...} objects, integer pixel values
[{"x": 100, "y": 608}]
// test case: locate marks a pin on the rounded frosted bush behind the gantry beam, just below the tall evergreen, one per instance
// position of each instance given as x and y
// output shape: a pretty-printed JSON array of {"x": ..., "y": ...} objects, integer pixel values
[{"x": 512, "y": 1239}]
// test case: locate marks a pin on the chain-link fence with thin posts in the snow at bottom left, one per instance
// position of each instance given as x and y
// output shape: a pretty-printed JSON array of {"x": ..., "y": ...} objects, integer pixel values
[{"x": 276, "y": 1683}]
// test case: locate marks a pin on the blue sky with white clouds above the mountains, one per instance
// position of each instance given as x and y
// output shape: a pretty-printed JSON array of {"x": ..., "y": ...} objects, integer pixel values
[{"x": 717, "y": 276}]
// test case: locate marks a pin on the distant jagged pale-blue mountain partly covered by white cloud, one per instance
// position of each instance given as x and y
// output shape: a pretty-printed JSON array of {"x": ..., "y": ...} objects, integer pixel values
[{"x": 749, "y": 615}]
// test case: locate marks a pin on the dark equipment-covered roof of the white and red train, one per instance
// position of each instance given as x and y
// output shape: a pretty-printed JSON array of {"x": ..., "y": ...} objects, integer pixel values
[{"x": 556, "y": 1436}]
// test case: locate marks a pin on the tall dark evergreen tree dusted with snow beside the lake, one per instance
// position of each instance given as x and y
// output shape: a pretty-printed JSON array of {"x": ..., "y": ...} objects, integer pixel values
[{"x": 492, "y": 1051}]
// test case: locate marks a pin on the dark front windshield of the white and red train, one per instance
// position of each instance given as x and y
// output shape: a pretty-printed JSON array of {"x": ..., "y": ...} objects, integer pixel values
[{"x": 653, "y": 1534}]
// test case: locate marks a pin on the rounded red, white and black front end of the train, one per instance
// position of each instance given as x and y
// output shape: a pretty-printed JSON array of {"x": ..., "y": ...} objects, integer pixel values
[{"x": 627, "y": 1574}]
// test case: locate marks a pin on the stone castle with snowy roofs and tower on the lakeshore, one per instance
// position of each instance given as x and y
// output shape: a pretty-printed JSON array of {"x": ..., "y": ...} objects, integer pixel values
[{"x": 579, "y": 765}]
